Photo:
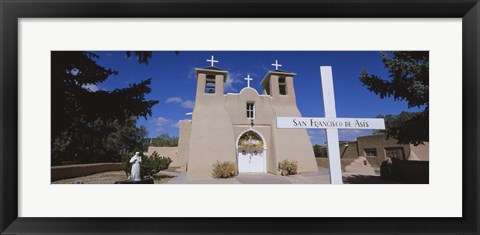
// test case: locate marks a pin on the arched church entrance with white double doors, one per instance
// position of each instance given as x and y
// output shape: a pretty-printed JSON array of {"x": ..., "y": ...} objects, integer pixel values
[{"x": 251, "y": 152}]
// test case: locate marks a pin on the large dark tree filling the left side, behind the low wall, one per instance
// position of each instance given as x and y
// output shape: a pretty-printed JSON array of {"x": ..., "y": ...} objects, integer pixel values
[{"x": 93, "y": 125}]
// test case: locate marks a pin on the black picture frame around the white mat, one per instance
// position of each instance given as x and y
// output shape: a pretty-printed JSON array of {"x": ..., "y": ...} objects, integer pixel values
[{"x": 11, "y": 11}]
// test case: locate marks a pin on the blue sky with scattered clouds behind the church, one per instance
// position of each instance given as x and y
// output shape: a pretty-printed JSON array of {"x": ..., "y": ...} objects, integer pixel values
[{"x": 174, "y": 83}]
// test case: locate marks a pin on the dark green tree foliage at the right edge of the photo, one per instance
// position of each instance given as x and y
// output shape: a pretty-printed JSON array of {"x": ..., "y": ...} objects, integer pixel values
[{"x": 409, "y": 81}]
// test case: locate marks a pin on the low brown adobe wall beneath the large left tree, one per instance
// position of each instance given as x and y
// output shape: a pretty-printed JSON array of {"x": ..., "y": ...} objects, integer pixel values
[{"x": 78, "y": 170}]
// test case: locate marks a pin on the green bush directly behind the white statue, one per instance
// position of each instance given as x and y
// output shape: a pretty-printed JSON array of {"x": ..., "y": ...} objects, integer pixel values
[{"x": 149, "y": 165}]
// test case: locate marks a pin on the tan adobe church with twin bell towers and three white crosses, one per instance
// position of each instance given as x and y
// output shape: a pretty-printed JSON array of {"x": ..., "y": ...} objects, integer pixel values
[{"x": 241, "y": 127}]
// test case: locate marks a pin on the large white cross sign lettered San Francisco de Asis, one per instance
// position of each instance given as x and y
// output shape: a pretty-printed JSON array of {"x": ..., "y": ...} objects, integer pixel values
[{"x": 331, "y": 123}]
